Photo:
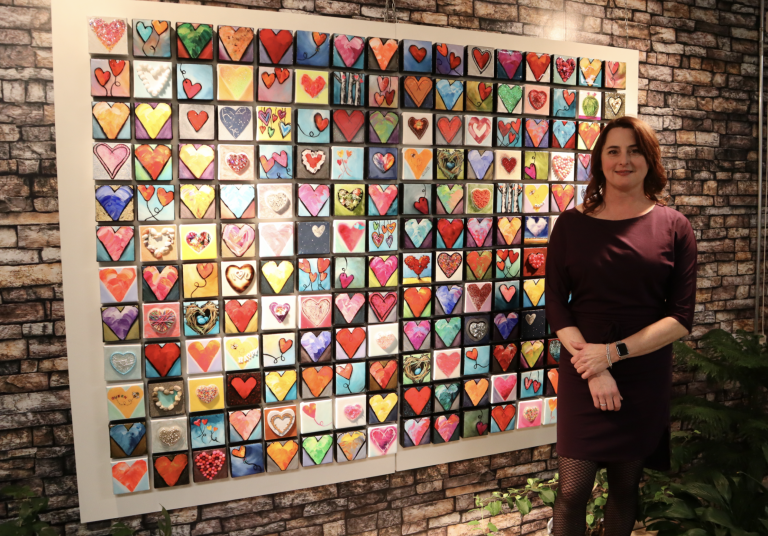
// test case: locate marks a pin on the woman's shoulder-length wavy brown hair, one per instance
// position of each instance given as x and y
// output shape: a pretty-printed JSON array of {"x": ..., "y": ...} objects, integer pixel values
[{"x": 647, "y": 144}]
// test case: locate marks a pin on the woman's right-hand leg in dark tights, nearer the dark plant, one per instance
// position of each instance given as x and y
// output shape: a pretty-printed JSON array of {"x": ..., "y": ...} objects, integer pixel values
[{"x": 623, "y": 483}]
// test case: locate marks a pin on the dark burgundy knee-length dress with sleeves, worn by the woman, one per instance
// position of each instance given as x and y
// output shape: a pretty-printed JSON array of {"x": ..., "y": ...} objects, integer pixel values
[{"x": 621, "y": 276}]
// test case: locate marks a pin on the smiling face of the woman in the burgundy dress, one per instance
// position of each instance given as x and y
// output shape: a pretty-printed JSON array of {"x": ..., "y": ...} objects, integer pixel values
[{"x": 624, "y": 166}]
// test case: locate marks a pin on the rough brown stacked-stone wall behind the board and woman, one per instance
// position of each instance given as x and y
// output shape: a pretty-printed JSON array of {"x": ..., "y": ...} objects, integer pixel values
[{"x": 698, "y": 89}]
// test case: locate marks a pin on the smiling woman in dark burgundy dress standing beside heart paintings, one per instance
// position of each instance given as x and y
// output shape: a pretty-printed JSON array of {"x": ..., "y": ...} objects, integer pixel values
[{"x": 628, "y": 265}]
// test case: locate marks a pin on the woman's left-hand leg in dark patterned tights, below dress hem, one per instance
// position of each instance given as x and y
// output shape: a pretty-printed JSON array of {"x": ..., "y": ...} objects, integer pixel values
[{"x": 577, "y": 477}]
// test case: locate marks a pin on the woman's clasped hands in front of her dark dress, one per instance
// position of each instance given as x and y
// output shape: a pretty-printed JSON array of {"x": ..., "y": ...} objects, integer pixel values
[{"x": 590, "y": 361}]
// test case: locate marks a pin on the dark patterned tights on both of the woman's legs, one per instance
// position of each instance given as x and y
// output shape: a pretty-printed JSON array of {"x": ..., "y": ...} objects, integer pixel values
[{"x": 577, "y": 477}]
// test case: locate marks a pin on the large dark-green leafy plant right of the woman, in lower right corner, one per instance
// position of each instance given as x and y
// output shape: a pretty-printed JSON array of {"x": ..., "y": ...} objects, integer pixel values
[{"x": 720, "y": 457}]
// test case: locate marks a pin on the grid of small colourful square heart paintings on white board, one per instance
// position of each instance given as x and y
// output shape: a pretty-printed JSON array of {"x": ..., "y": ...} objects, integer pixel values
[{"x": 315, "y": 248}]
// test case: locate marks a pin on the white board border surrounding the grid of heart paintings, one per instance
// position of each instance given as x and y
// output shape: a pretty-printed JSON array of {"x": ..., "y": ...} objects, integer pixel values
[{"x": 80, "y": 281}]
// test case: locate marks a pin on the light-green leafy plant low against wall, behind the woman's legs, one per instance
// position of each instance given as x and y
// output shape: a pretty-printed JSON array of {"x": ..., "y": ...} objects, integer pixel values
[{"x": 547, "y": 492}]
